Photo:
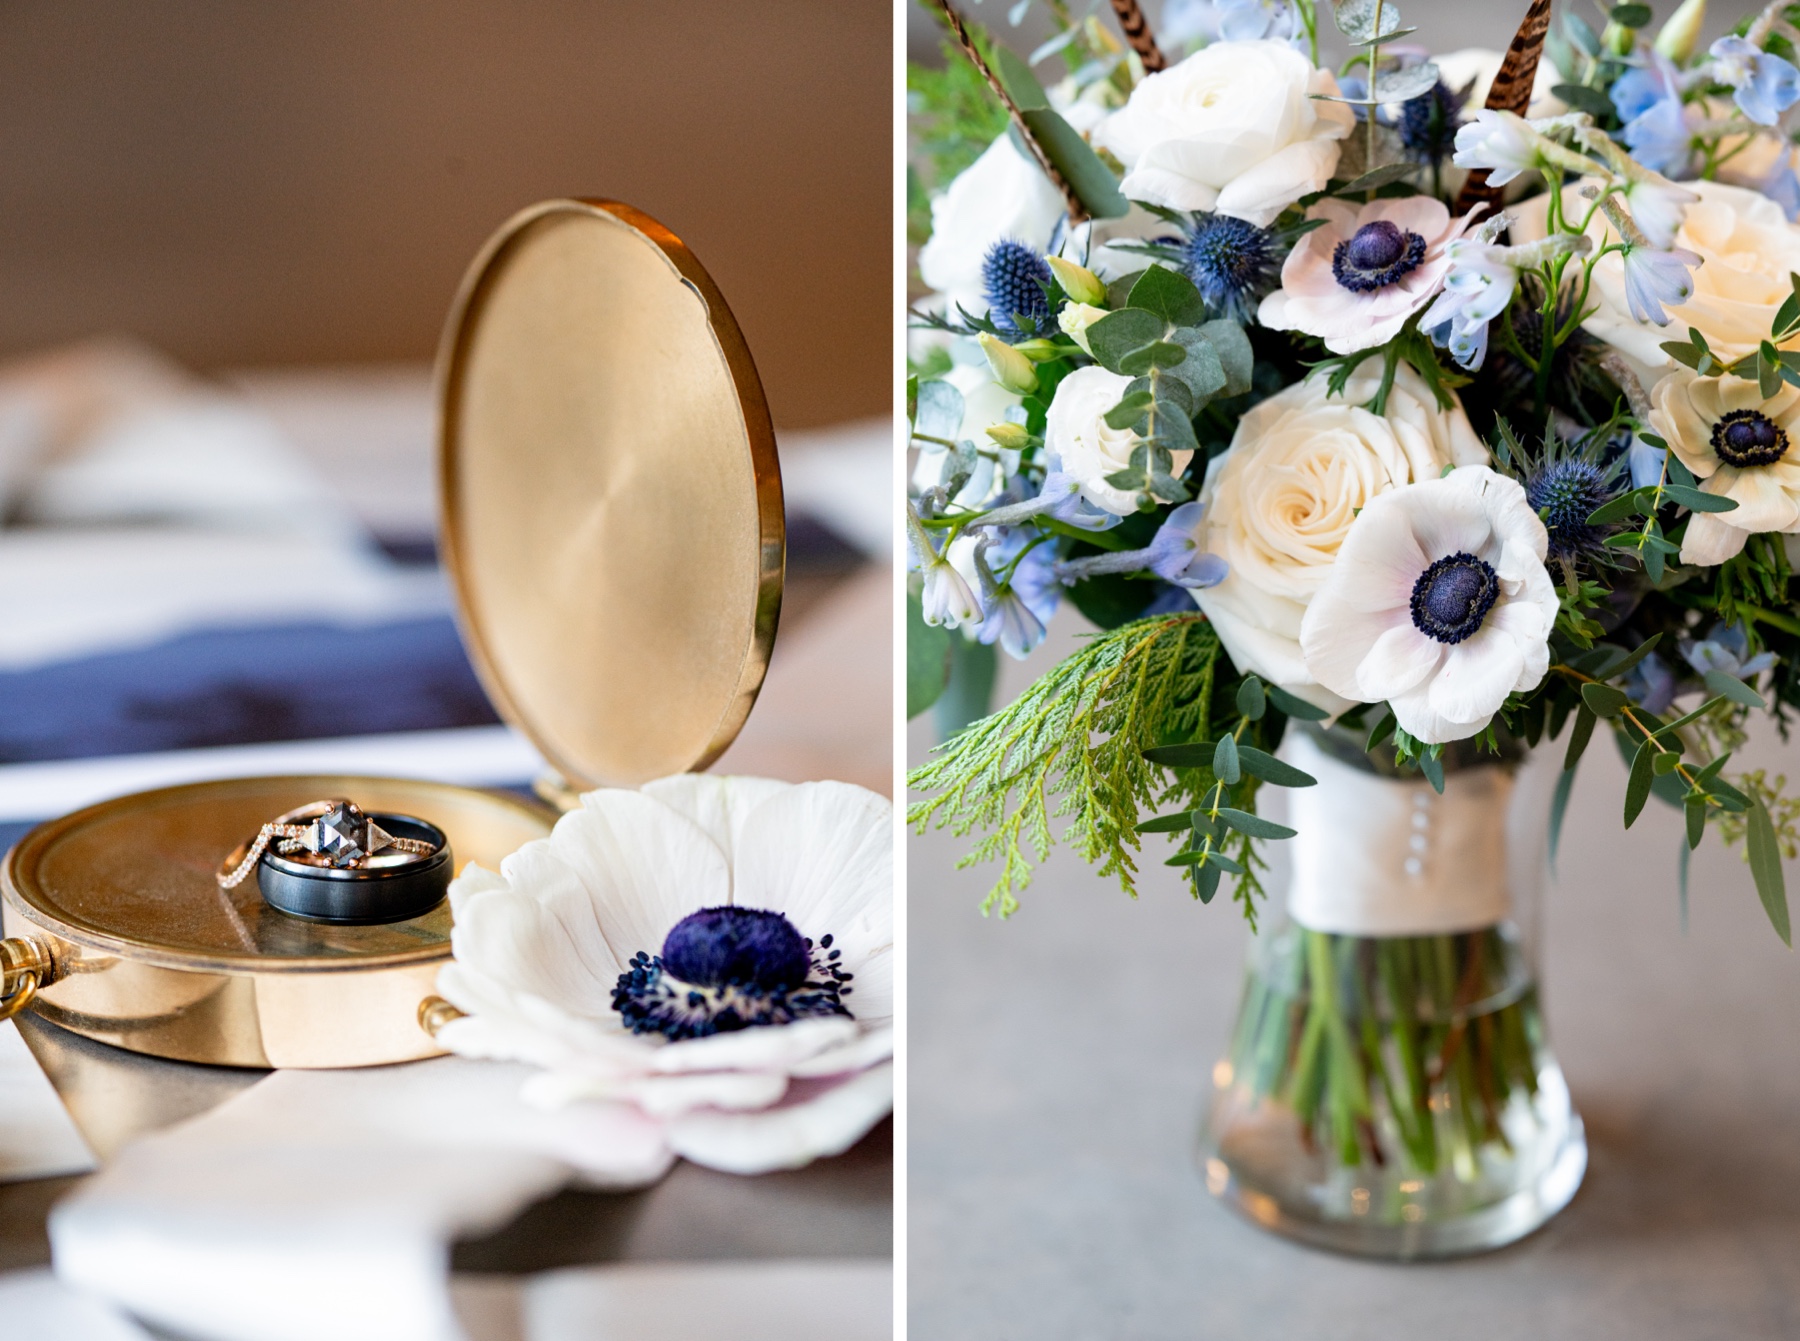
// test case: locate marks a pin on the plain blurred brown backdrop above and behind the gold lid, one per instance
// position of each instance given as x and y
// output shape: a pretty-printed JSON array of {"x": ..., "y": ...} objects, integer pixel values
[{"x": 305, "y": 183}]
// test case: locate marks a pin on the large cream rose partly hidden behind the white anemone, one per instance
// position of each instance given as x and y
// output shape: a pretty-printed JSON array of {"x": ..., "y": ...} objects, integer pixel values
[{"x": 1281, "y": 501}]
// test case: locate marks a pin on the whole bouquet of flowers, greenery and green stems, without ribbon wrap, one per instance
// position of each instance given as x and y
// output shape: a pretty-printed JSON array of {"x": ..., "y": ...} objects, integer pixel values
[{"x": 1428, "y": 409}]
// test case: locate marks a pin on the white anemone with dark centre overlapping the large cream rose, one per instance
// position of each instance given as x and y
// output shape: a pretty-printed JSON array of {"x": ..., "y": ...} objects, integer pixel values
[{"x": 1439, "y": 604}]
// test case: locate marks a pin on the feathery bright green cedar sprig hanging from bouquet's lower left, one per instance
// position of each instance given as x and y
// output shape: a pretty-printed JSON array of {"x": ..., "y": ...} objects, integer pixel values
[{"x": 1072, "y": 746}]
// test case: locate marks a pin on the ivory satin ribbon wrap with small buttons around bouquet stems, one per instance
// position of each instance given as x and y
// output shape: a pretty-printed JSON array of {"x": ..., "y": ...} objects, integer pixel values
[{"x": 1390, "y": 858}]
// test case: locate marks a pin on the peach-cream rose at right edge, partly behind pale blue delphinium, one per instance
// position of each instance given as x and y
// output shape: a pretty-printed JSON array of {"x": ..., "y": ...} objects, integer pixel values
[{"x": 1747, "y": 251}]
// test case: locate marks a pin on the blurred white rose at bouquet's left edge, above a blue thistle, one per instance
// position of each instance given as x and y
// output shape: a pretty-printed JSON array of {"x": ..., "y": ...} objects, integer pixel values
[{"x": 1002, "y": 195}]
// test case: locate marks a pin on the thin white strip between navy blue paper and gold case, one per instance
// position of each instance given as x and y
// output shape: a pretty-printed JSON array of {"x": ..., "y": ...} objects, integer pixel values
[{"x": 472, "y": 757}]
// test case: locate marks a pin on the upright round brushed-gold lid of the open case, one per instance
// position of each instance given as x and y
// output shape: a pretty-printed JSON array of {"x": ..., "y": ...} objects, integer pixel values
[{"x": 611, "y": 494}]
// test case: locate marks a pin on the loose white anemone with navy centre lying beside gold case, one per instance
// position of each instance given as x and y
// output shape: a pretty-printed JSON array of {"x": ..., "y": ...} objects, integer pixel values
[{"x": 715, "y": 953}]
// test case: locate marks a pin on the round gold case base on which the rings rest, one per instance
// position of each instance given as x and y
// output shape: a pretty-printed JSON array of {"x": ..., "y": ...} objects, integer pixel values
[{"x": 147, "y": 953}]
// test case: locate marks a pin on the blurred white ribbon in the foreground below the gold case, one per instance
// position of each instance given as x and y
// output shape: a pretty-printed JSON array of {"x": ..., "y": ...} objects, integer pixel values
[{"x": 337, "y": 1194}]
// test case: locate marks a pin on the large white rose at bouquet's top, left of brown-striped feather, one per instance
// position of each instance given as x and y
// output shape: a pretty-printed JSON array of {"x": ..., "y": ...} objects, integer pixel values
[{"x": 1234, "y": 129}]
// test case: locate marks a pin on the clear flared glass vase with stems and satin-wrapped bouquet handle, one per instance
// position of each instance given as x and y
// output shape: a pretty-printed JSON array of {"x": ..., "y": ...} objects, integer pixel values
[{"x": 1389, "y": 1090}]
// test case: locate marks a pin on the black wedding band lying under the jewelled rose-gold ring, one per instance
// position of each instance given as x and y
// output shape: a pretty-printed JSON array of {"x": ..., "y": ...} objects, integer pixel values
[{"x": 361, "y": 894}]
